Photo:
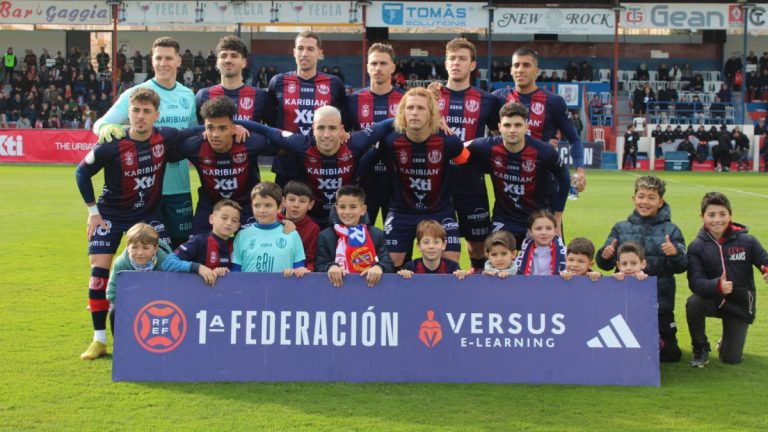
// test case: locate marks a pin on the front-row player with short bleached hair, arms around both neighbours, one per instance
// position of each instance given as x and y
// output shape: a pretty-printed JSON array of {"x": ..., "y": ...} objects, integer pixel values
[{"x": 325, "y": 163}]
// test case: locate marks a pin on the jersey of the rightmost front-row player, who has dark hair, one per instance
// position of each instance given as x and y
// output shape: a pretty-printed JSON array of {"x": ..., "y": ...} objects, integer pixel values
[{"x": 521, "y": 181}]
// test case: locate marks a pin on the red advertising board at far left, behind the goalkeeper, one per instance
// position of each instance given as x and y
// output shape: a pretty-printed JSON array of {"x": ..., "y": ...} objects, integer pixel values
[{"x": 45, "y": 145}]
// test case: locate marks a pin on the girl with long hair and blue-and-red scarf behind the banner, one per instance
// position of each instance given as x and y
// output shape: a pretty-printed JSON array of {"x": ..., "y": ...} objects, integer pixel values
[{"x": 543, "y": 252}]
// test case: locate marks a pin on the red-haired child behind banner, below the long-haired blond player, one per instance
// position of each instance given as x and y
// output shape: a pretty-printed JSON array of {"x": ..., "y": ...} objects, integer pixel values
[{"x": 431, "y": 241}]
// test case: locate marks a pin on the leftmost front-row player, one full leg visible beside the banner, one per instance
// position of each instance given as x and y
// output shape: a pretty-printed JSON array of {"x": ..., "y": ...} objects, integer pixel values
[{"x": 133, "y": 166}]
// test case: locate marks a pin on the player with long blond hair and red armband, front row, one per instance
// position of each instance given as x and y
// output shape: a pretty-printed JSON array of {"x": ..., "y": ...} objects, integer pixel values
[{"x": 419, "y": 159}]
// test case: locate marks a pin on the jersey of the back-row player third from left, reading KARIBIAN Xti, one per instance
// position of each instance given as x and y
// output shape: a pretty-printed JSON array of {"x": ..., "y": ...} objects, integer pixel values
[{"x": 293, "y": 101}]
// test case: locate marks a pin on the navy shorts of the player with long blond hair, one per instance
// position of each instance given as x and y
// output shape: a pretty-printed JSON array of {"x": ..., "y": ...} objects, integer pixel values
[{"x": 400, "y": 229}]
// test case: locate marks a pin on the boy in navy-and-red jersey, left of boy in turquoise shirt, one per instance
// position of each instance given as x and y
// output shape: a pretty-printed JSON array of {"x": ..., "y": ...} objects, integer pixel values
[{"x": 214, "y": 250}]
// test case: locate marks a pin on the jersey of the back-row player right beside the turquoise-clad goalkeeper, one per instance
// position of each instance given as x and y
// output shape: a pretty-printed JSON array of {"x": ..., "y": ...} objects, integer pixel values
[{"x": 252, "y": 103}]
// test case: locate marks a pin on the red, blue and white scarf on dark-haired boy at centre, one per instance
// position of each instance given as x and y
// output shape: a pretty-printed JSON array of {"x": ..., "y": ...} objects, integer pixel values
[{"x": 355, "y": 251}]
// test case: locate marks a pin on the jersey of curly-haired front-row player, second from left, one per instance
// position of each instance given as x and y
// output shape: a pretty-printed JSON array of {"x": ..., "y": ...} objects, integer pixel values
[{"x": 226, "y": 175}]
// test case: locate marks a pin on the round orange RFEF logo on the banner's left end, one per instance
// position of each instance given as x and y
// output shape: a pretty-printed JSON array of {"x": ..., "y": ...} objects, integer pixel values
[{"x": 160, "y": 326}]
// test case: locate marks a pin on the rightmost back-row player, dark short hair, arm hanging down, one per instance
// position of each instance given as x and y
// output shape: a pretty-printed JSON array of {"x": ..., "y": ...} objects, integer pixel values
[{"x": 548, "y": 112}]
